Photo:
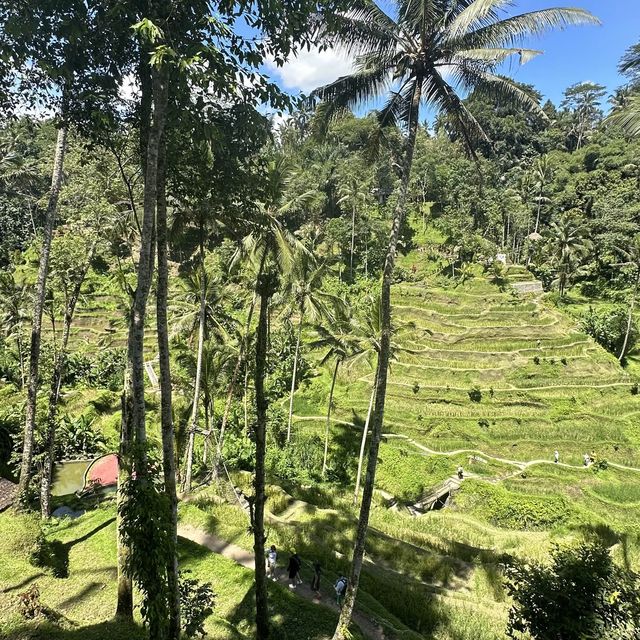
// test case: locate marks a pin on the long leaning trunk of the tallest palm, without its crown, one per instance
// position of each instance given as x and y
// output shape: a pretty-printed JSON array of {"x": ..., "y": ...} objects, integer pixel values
[{"x": 342, "y": 630}]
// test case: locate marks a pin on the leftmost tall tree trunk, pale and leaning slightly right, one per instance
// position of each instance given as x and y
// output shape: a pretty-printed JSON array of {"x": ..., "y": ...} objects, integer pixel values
[{"x": 26, "y": 467}]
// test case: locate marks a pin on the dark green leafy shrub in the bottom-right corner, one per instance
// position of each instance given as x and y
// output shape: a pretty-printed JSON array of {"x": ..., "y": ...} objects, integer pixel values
[{"x": 582, "y": 594}]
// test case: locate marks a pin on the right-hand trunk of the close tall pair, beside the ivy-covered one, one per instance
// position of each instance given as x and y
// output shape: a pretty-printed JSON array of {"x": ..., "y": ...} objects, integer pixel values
[{"x": 166, "y": 416}]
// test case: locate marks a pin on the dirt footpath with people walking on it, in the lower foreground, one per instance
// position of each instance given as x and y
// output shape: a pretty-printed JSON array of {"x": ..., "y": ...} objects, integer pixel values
[{"x": 370, "y": 628}]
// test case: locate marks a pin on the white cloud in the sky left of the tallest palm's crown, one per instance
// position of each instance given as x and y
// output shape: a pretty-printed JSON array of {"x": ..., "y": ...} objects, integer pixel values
[{"x": 311, "y": 69}]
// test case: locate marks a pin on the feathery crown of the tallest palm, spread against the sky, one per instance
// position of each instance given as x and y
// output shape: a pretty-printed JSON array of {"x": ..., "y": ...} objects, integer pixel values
[{"x": 427, "y": 50}]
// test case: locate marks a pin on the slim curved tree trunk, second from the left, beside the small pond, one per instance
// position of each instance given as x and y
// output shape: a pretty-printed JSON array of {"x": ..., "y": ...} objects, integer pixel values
[{"x": 56, "y": 384}]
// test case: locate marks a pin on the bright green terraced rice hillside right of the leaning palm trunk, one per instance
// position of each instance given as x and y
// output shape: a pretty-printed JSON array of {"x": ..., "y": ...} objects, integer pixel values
[{"x": 492, "y": 380}]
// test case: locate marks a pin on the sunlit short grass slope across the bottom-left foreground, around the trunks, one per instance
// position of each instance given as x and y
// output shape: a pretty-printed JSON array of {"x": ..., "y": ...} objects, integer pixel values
[{"x": 82, "y": 604}]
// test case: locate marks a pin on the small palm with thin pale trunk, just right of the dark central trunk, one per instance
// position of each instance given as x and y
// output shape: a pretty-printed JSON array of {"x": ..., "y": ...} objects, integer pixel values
[{"x": 310, "y": 302}]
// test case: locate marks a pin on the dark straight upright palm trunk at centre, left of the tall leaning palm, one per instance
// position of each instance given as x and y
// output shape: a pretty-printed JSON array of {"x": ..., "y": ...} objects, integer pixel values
[{"x": 257, "y": 520}]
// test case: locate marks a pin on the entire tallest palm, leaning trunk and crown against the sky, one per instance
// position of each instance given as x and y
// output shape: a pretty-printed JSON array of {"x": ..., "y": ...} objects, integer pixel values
[{"x": 417, "y": 50}]
